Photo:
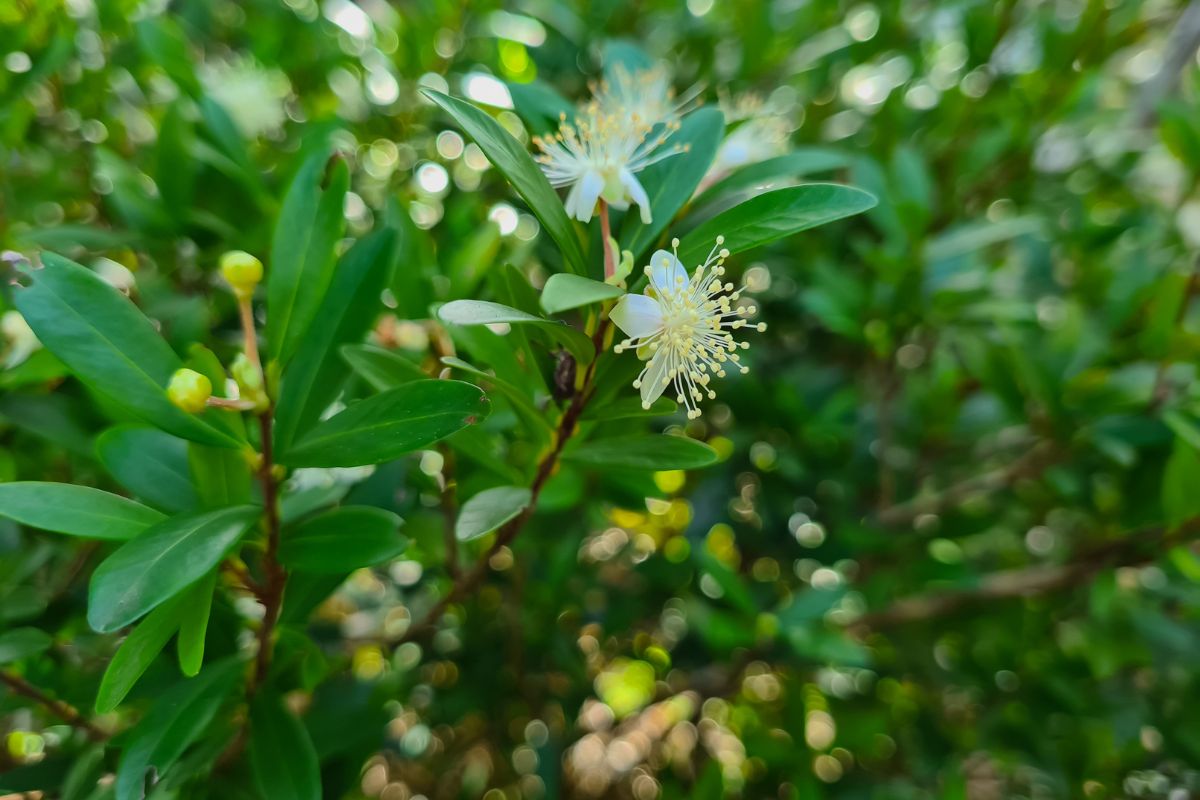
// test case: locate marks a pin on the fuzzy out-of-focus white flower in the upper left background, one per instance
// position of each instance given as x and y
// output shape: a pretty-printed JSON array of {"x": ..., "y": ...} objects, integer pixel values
[{"x": 251, "y": 95}]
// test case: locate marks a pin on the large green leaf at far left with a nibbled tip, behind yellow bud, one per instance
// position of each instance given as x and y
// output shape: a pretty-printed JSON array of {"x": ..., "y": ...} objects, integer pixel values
[{"x": 109, "y": 345}]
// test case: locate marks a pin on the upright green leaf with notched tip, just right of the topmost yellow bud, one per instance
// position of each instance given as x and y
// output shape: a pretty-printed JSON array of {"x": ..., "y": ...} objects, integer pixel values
[{"x": 311, "y": 221}]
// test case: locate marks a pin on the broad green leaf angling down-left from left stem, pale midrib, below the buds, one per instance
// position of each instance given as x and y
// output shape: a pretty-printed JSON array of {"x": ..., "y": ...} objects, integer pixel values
[{"x": 161, "y": 563}]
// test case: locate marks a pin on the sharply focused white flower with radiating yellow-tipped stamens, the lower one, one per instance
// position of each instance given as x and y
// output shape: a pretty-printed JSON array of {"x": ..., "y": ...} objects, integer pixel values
[{"x": 682, "y": 327}]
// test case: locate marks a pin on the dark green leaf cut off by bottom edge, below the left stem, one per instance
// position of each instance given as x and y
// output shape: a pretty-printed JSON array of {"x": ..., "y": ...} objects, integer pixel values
[{"x": 283, "y": 759}]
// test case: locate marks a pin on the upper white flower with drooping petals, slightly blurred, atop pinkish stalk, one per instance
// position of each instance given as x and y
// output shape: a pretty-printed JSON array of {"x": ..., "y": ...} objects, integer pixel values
[{"x": 598, "y": 157}]
